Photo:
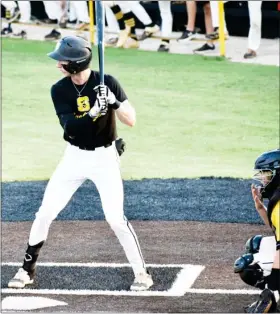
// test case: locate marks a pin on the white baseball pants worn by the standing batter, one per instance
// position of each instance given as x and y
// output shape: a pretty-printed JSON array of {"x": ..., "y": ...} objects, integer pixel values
[{"x": 101, "y": 166}]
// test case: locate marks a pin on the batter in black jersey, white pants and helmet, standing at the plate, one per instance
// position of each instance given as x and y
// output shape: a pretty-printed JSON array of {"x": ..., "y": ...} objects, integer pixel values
[{"x": 86, "y": 112}]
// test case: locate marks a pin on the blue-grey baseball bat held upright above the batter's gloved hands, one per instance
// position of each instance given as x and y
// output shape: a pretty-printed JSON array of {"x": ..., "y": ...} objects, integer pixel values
[{"x": 100, "y": 22}]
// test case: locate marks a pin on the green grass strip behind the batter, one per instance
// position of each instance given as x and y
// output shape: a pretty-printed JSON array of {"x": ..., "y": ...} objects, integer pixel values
[{"x": 196, "y": 116}]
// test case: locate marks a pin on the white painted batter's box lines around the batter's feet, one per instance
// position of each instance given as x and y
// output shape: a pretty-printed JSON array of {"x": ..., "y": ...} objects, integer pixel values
[{"x": 183, "y": 282}]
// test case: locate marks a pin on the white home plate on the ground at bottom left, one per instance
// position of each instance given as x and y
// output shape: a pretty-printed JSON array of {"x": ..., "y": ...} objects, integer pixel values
[{"x": 29, "y": 303}]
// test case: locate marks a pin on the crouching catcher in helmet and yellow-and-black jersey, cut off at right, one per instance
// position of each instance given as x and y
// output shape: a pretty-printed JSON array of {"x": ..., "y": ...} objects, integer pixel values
[{"x": 260, "y": 266}]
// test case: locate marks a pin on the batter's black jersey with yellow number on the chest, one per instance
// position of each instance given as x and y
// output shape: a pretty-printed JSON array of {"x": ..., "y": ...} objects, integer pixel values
[{"x": 72, "y": 110}]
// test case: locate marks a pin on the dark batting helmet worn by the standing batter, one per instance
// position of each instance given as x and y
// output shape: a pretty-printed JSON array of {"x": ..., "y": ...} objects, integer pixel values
[{"x": 74, "y": 49}]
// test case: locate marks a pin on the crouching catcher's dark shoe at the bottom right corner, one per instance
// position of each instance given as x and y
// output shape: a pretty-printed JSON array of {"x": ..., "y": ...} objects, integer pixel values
[{"x": 265, "y": 304}]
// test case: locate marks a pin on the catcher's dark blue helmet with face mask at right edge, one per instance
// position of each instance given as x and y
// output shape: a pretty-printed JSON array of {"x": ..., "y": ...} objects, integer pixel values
[{"x": 267, "y": 166}]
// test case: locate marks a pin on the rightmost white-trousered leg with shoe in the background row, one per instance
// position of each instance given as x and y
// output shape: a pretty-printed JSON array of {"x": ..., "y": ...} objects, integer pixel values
[{"x": 254, "y": 38}]
